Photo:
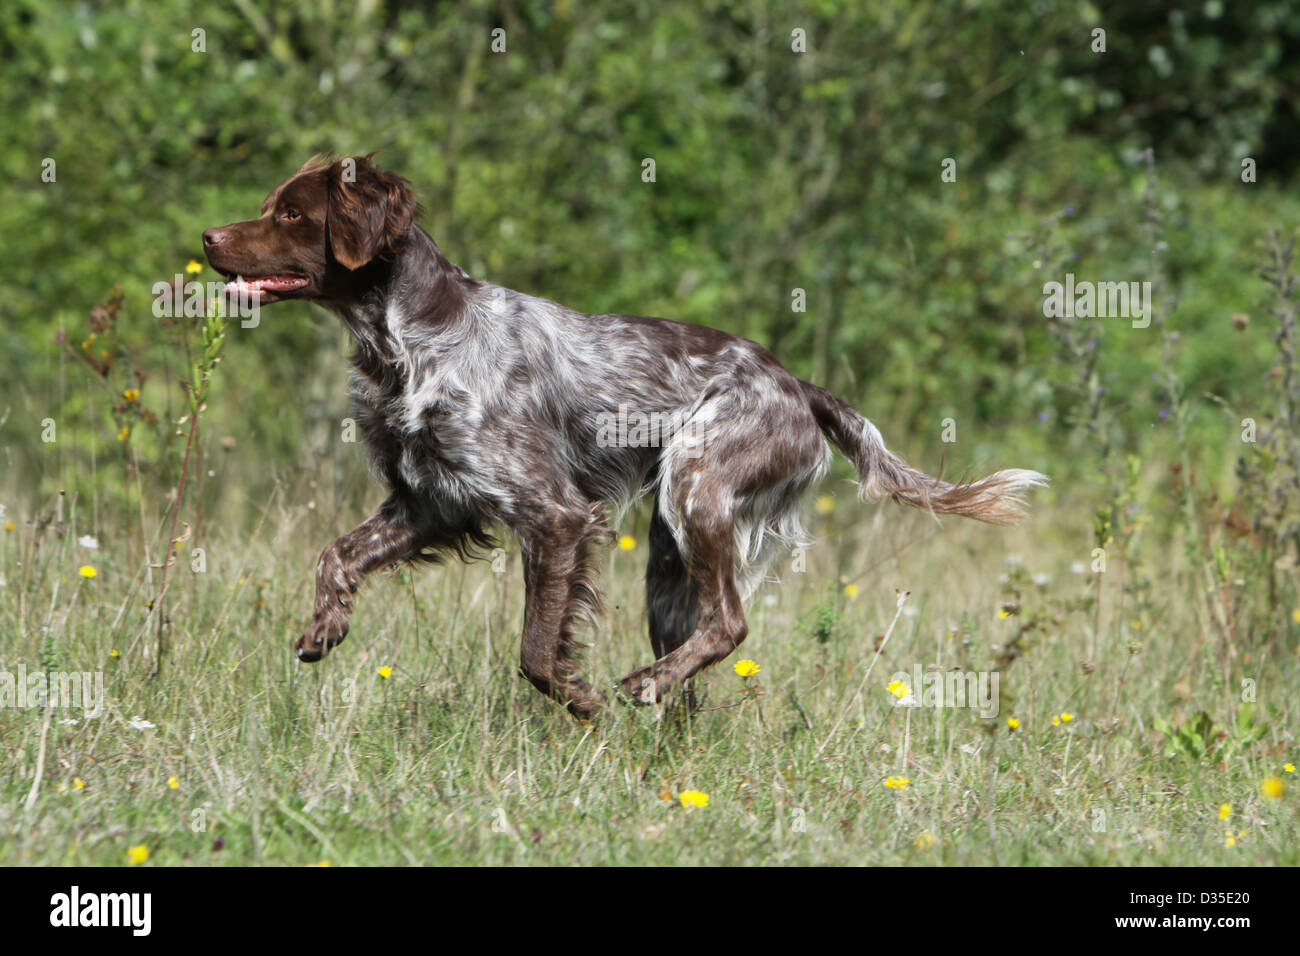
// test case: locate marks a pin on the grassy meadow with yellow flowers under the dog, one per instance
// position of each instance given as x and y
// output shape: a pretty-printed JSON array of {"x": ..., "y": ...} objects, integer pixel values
[{"x": 454, "y": 759}]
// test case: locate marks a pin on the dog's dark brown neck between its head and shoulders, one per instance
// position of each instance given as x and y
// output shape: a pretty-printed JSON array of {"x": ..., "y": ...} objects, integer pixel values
[{"x": 432, "y": 292}]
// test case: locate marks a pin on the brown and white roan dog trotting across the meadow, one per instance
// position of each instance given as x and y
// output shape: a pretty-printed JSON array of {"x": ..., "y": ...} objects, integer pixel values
[{"x": 486, "y": 406}]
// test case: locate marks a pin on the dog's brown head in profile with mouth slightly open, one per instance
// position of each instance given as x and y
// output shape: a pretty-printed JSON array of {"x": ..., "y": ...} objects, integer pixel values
[{"x": 317, "y": 230}]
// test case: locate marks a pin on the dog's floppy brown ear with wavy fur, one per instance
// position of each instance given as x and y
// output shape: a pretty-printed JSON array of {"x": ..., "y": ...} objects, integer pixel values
[{"x": 370, "y": 211}]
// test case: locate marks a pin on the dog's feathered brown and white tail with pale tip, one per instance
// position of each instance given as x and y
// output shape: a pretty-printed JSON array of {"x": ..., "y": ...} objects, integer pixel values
[{"x": 998, "y": 499}]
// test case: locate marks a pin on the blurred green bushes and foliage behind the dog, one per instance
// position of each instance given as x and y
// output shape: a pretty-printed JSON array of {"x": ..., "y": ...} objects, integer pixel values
[{"x": 774, "y": 171}]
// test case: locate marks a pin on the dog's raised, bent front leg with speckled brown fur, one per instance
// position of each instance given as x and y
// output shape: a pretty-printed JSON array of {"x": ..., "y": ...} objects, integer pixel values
[{"x": 384, "y": 539}]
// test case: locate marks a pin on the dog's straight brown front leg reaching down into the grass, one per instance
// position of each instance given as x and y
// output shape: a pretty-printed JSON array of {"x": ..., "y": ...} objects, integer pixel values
[{"x": 560, "y": 592}]
